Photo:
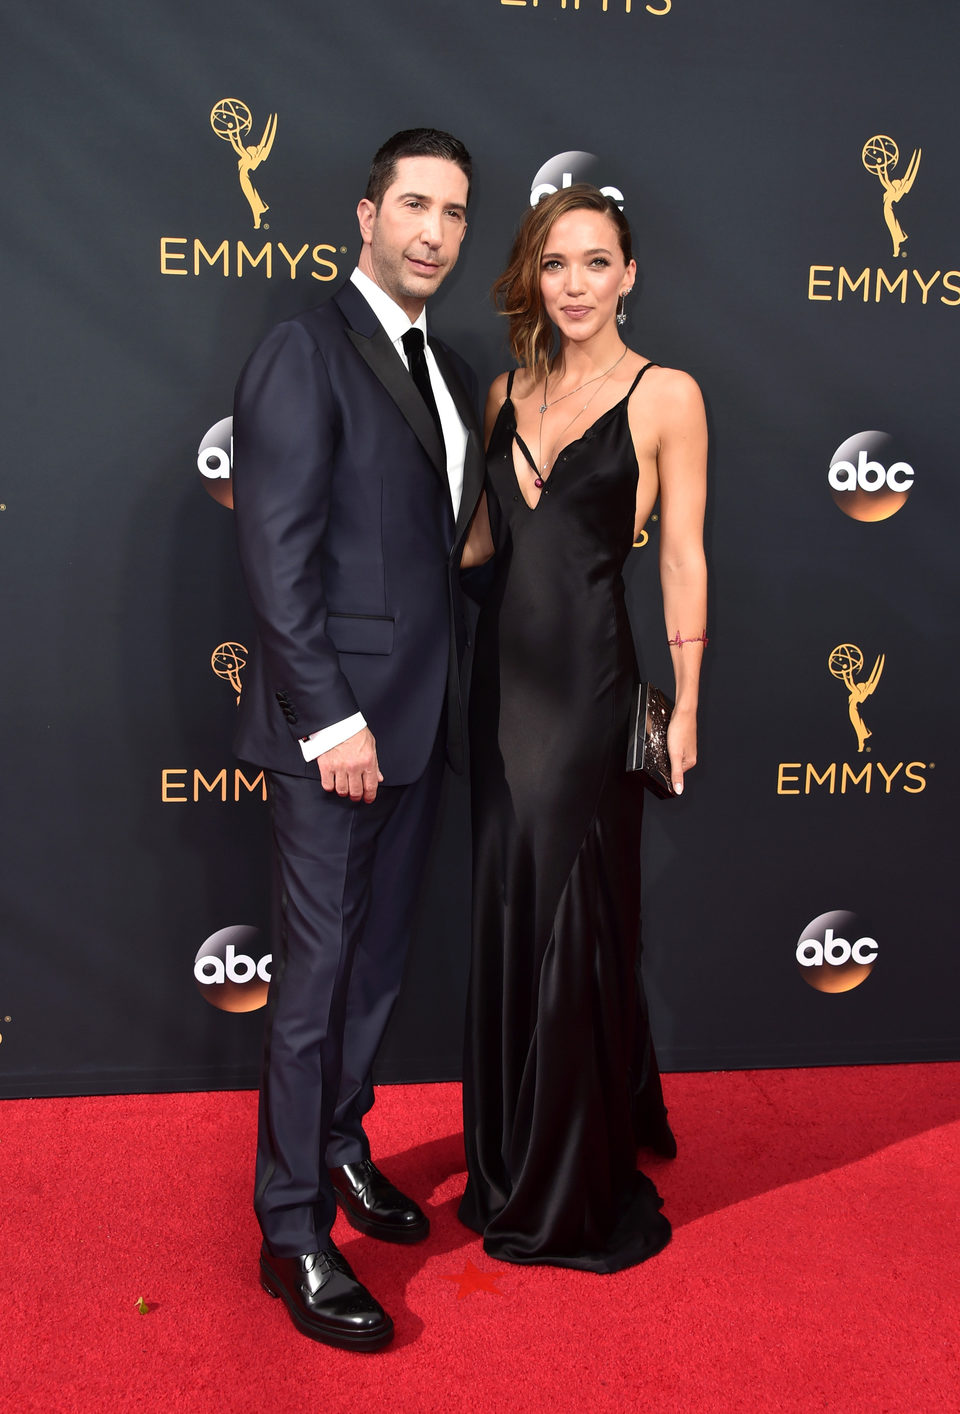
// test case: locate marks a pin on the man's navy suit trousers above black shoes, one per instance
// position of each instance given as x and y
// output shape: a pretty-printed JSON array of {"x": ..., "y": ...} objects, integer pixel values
[{"x": 347, "y": 879}]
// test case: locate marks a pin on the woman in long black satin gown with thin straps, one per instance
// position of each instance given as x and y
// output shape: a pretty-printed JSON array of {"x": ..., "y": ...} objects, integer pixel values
[{"x": 561, "y": 1080}]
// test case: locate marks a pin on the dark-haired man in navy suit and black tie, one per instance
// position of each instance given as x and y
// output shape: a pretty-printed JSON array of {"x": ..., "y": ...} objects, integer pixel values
[{"x": 357, "y": 469}]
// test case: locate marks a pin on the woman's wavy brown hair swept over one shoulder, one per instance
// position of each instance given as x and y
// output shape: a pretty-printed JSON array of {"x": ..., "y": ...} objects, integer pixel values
[{"x": 517, "y": 293}]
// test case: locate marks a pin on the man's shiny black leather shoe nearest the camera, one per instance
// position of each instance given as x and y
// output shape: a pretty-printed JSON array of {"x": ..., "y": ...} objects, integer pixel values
[{"x": 326, "y": 1302}]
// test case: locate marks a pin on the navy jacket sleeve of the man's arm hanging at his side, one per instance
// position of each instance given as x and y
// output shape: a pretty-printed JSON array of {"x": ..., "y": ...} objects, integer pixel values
[{"x": 286, "y": 429}]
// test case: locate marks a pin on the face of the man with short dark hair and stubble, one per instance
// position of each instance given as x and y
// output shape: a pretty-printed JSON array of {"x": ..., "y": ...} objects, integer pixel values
[{"x": 412, "y": 243}]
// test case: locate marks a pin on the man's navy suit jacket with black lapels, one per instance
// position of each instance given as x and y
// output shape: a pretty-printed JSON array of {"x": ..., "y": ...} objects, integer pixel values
[{"x": 349, "y": 541}]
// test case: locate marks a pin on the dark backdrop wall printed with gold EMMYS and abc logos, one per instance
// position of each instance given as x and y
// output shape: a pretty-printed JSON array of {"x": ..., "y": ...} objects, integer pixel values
[{"x": 180, "y": 176}]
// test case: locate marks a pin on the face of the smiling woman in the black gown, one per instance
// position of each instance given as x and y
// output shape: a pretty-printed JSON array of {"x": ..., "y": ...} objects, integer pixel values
[{"x": 583, "y": 274}]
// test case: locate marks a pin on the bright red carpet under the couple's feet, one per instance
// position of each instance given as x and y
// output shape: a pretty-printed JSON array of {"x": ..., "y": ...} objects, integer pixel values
[{"x": 815, "y": 1263}]
